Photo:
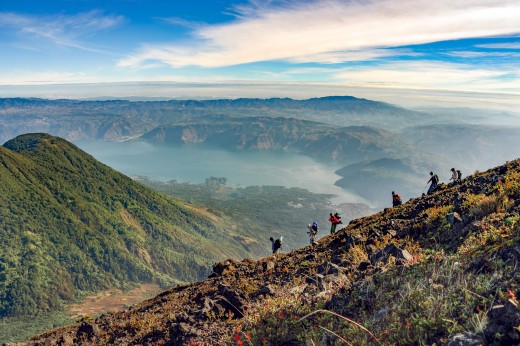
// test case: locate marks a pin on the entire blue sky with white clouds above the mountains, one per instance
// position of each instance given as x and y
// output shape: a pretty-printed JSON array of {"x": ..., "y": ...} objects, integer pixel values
[{"x": 264, "y": 47}]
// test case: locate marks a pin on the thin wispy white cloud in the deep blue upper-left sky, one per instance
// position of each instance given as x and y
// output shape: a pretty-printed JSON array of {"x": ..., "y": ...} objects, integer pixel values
[{"x": 60, "y": 29}]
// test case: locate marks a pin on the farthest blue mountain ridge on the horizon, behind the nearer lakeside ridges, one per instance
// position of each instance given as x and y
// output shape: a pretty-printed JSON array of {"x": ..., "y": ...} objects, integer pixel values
[{"x": 73, "y": 119}]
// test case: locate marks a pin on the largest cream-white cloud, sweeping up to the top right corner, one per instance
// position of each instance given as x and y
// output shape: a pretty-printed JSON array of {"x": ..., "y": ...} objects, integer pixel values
[{"x": 315, "y": 31}]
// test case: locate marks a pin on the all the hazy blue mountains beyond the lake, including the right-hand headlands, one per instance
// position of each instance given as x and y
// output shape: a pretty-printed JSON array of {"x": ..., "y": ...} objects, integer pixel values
[{"x": 348, "y": 131}]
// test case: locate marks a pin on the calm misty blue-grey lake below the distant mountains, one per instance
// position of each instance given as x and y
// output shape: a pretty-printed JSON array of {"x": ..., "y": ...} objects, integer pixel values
[{"x": 241, "y": 168}]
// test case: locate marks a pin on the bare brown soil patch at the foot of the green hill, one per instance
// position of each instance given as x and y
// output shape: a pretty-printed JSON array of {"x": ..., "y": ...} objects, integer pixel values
[{"x": 113, "y": 300}]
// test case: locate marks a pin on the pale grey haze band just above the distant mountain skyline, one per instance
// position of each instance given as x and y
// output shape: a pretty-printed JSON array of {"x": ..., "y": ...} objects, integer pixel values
[{"x": 201, "y": 91}]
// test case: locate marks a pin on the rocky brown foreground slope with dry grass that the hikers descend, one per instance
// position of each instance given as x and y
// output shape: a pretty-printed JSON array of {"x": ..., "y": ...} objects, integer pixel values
[{"x": 440, "y": 269}]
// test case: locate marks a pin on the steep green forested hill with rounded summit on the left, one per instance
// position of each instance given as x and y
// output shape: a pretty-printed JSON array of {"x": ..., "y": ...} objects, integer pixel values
[{"x": 71, "y": 225}]
